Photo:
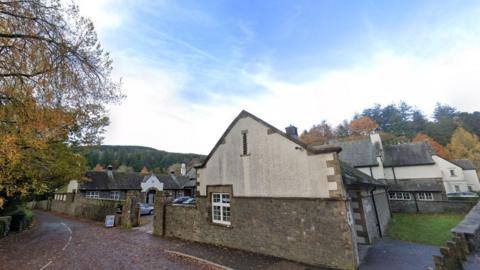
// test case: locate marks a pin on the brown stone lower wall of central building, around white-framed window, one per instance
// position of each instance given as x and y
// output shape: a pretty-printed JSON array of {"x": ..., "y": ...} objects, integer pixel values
[{"x": 312, "y": 231}]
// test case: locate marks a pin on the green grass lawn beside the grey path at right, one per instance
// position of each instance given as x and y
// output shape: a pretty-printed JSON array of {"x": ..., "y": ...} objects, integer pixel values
[{"x": 430, "y": 229}]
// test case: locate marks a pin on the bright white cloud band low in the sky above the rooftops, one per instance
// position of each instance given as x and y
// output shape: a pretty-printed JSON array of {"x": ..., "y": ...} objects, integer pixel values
[{"x": 154, "y": 113}]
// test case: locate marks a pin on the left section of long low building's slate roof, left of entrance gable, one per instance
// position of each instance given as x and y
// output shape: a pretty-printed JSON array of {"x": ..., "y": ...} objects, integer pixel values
[{"x": 118, "y": 181}]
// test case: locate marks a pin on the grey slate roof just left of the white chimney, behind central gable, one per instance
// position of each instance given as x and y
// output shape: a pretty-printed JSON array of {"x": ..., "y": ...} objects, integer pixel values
[{"x": 360, "y": 153}]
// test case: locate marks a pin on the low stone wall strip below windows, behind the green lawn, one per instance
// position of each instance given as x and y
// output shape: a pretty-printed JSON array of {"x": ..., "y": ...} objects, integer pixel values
[{"x": 410, "y": 206}]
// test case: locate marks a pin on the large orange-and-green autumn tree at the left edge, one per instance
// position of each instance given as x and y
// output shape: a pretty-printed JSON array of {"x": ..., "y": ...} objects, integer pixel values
[{"x": 55, "y": 80}]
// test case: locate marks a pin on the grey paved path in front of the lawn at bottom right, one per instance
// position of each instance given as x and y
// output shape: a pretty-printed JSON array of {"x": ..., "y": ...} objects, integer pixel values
[{"x": 399, "y": 255}]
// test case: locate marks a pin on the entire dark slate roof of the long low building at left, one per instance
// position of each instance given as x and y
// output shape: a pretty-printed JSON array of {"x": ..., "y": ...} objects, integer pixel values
[{"x": 131, "y": 181}]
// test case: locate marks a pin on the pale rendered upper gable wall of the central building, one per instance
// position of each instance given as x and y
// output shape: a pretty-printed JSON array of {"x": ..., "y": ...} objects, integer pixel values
[{"x": 274, "y": 166}]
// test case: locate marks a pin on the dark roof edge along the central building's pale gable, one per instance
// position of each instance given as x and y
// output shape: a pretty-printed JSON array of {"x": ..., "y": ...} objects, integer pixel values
[{"x": 272, "y": 129}]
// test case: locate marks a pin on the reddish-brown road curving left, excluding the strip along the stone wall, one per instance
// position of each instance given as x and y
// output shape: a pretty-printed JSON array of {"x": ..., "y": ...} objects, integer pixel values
[{"x": 65, "y": 243}]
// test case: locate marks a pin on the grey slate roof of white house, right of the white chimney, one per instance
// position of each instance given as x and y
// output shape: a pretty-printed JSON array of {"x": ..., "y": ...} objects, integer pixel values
[{"x": 408, "y": 154}]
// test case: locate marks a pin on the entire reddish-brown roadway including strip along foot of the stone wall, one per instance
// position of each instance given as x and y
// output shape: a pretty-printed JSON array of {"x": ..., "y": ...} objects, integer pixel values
[{"x": 62, "y": 242}]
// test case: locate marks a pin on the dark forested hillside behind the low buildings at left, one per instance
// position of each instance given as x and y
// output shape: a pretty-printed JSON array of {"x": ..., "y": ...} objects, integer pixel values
[{"x": 133, "y": 158}]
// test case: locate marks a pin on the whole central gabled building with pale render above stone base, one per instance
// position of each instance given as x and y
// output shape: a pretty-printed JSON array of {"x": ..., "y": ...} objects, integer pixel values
[{"x": 264, "y": 191}]
